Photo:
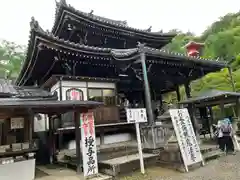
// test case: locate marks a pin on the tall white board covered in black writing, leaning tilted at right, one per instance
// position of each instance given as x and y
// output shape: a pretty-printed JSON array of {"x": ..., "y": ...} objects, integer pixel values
[{"x": 186, "y": 137}]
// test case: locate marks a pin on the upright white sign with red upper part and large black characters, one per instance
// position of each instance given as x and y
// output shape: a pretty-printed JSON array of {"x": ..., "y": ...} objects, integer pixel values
[{"x": 89, "y": 148}]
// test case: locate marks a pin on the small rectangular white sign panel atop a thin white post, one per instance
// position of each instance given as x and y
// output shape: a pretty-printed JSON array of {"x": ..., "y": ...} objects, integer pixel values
[{"x": 138, "y": 115}]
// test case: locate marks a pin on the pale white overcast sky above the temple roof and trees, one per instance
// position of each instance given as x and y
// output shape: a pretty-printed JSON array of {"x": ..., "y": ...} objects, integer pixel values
[{"x": 185, "y": 15}]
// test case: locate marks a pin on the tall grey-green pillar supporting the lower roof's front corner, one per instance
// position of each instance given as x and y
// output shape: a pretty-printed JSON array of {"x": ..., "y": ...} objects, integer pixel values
[{"x": 146, "y": 87}]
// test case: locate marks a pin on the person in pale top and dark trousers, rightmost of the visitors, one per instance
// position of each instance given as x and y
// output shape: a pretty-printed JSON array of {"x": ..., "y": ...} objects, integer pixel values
[{"x": 227, "y": 131}]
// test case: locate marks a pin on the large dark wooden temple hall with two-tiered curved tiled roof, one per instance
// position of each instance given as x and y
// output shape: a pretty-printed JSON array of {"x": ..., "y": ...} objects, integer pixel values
[{"x": 90, "y": 58}]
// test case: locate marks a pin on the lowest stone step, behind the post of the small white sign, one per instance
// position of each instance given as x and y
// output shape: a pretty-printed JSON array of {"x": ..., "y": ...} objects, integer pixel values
[{"x": 125, "y": 164}]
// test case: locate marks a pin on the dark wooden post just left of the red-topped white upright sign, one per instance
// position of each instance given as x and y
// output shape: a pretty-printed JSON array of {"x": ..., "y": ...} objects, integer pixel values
[{"x": 78, "y": 138}]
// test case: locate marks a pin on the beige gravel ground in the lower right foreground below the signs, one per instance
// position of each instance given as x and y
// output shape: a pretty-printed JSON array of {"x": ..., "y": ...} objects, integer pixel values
[{"x": 224, "y": 168}]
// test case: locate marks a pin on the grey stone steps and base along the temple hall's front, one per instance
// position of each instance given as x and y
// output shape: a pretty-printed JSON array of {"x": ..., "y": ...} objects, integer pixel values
[{"x": 122, "y": 158}]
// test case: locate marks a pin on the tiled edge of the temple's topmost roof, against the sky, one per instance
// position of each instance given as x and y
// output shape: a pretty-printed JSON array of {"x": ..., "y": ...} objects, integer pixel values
[{"x": 117, "y": 23}]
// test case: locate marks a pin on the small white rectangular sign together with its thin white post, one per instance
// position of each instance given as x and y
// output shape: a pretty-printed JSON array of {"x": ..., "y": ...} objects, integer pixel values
[{"x": 138, "y": 115}]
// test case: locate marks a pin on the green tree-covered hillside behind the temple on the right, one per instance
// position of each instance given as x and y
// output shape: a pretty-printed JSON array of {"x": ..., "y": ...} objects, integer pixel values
[{"x": 222, "y": 42}]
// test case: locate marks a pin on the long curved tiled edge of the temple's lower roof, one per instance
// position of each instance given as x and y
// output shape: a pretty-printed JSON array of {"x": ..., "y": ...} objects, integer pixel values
[{"x": 37, "y": 31}]
